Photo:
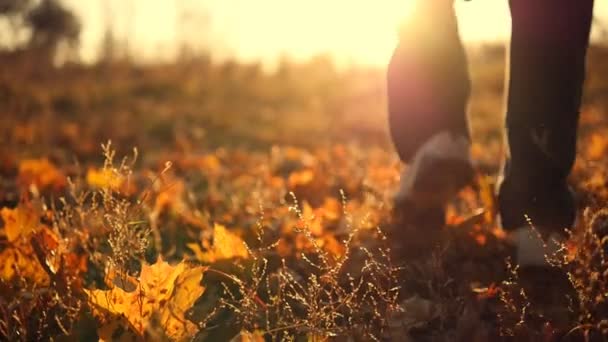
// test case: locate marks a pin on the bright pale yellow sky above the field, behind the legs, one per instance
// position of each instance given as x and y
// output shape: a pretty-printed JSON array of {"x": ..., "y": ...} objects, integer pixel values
[{"x": 352, "y": 31}]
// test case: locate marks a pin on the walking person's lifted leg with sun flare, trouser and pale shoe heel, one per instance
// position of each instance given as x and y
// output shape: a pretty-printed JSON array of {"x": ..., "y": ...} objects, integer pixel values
[{"x": 428, "y": 90}]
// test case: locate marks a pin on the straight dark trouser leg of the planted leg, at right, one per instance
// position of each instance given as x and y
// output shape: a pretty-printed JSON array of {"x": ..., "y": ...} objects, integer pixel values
[{"x": 547, "y": 66}]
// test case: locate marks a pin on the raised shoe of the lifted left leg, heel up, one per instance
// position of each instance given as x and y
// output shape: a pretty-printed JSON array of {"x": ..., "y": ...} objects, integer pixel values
[{"x": 438, "y": 170}]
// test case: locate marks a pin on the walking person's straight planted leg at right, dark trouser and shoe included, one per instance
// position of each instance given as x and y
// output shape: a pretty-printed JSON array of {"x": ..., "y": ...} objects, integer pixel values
[{"x": 547, "y": 68}]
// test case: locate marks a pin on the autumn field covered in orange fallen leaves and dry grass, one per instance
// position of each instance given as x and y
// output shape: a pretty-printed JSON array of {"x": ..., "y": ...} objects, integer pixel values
[{"x": 210, "y": 201}]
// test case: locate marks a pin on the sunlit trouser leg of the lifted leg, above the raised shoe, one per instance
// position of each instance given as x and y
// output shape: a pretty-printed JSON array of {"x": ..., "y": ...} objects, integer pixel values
[{"x": 428, "y": 83}]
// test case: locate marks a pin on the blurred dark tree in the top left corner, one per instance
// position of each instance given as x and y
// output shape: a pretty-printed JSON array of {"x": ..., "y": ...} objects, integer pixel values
[{"x": 43, "y": 29}]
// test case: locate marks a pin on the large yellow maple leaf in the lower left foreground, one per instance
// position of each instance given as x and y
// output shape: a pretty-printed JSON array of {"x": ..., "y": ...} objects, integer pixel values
[{"x": 163, "y": 295}]
